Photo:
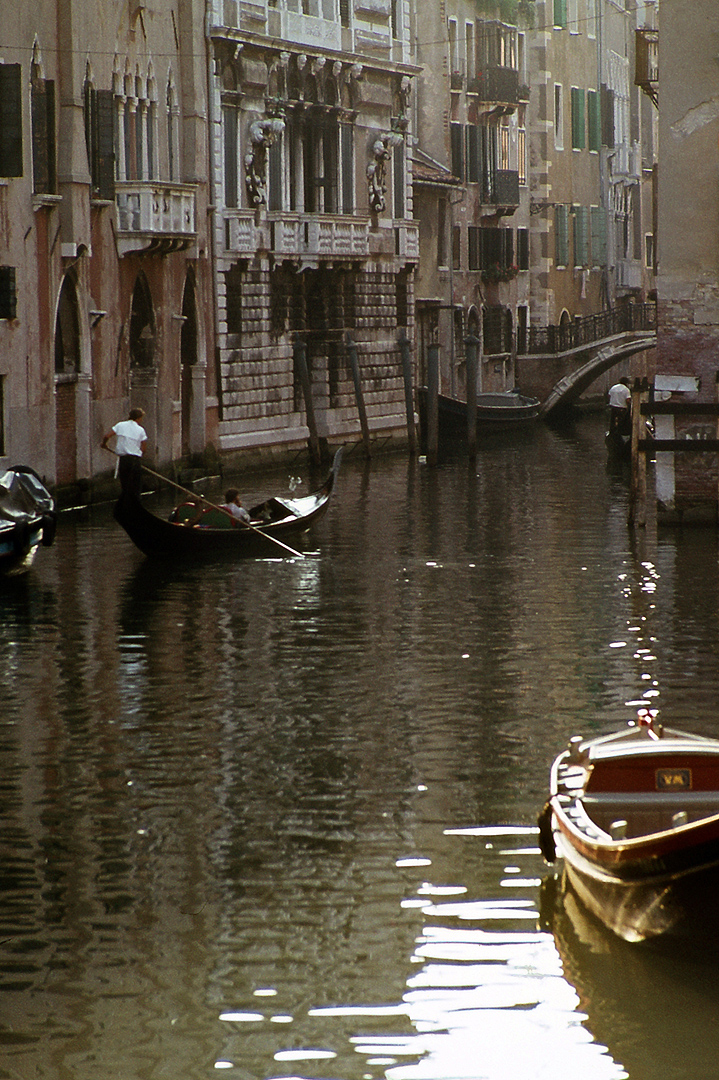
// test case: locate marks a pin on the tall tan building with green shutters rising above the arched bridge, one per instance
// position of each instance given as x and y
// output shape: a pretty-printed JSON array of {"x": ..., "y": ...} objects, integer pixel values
[{"x": 593, "y": 153}]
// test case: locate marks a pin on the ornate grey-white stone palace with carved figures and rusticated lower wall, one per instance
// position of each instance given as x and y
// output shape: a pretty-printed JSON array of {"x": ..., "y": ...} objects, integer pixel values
[{"x": 315, "y": 244}]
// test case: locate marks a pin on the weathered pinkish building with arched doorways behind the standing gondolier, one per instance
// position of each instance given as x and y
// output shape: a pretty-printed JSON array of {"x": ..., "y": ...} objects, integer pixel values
[{"x": 104, "y": 254}]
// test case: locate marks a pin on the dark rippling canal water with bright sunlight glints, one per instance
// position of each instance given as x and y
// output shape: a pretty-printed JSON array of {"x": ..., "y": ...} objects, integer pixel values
[{"x": 277, "y": 818}]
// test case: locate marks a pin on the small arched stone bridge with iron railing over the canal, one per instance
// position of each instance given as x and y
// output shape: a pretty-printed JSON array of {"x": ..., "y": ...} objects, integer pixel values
[{"x": 562, "y": 362}]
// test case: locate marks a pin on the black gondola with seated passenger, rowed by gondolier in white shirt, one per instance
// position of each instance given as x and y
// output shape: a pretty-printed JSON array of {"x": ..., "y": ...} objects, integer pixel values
[{"x": 198, "y": 529}]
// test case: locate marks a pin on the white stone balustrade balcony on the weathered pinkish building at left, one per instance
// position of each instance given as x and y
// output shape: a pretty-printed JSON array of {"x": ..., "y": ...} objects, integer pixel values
[{"x": 155, "y": 218}]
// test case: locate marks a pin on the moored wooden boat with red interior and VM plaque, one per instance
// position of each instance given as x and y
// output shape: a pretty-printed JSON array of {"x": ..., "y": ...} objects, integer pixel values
[{"x": 635, "y": 817}]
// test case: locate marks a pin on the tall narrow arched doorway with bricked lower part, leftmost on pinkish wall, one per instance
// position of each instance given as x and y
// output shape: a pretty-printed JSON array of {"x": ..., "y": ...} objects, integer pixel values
[{"x": 67, "y": 370}]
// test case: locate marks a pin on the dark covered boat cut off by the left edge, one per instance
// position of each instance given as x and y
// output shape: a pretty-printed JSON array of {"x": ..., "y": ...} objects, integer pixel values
[{"x": 28, "y": 519}]
